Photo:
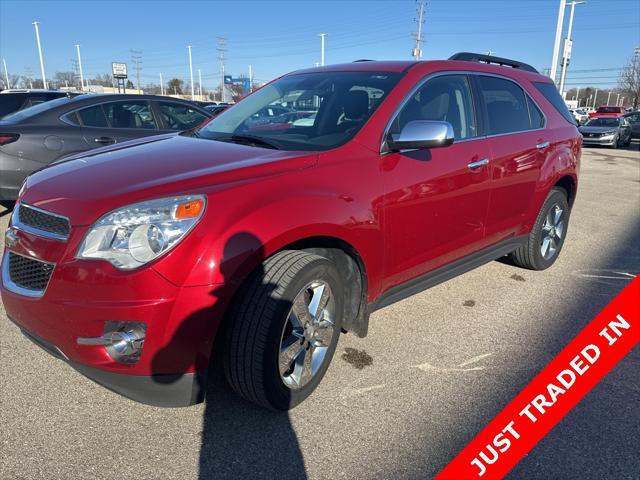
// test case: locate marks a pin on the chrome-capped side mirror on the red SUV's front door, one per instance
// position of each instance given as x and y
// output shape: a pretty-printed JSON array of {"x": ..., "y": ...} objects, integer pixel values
[{"x": 420, "y": 134}]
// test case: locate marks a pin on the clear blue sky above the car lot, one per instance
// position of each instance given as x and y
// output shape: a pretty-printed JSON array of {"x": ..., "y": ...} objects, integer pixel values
[{"x": 276, "y": 37}]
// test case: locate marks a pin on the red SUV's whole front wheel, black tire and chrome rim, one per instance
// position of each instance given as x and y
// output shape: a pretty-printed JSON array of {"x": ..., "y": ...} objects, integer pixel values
[{"x": 284, "y": 329}]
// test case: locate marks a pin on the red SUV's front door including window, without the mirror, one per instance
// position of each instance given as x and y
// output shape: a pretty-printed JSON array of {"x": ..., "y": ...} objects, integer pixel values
[{"x": 435, "y": 200}]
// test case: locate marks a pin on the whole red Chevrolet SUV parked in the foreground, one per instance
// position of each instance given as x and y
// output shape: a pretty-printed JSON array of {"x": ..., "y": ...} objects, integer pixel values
[{"x": 135, "y": 262}]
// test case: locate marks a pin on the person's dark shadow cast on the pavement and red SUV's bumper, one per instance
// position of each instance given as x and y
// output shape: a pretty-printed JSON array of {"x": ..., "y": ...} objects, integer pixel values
[{"x": 238, "y": 439}]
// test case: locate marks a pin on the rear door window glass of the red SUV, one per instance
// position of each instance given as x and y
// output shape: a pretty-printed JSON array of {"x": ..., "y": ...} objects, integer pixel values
[{"x": 506, "y": 106}]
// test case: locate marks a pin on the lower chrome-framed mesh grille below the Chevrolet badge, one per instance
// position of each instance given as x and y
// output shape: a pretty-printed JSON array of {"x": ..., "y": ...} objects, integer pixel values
[{"x": 24, "y": 275}]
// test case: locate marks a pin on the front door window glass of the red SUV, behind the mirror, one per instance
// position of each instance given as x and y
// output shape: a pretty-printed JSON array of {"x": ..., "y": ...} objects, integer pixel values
[{"x": 446, "y": 98}]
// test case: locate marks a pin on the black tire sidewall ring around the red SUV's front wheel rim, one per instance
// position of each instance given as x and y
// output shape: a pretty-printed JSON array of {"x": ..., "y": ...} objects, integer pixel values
[{"x": 278, "y": 394}]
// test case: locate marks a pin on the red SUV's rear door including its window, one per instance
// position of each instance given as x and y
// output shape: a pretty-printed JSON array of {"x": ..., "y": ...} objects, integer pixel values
[{"x": 514, "y": 126}]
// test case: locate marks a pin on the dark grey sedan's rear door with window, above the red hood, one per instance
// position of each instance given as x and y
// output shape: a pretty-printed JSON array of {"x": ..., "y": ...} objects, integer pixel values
[{"x": 119, "y": 121}]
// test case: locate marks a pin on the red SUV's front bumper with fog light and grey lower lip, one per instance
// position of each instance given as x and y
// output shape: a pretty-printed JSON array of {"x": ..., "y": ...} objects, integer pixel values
[{"x": 152, "y": 349}]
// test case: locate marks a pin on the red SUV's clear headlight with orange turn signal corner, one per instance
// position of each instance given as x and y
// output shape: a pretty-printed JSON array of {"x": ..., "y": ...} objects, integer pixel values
[{"x": 132, "y": 236}]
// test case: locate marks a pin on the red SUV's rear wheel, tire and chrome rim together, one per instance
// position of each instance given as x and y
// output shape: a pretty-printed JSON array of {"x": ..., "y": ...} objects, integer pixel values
[{"x": 547, "y": 235}]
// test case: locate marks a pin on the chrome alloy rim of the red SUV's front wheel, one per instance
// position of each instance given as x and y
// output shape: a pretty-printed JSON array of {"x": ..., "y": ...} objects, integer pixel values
[{"x": 307, "y": 334}]
